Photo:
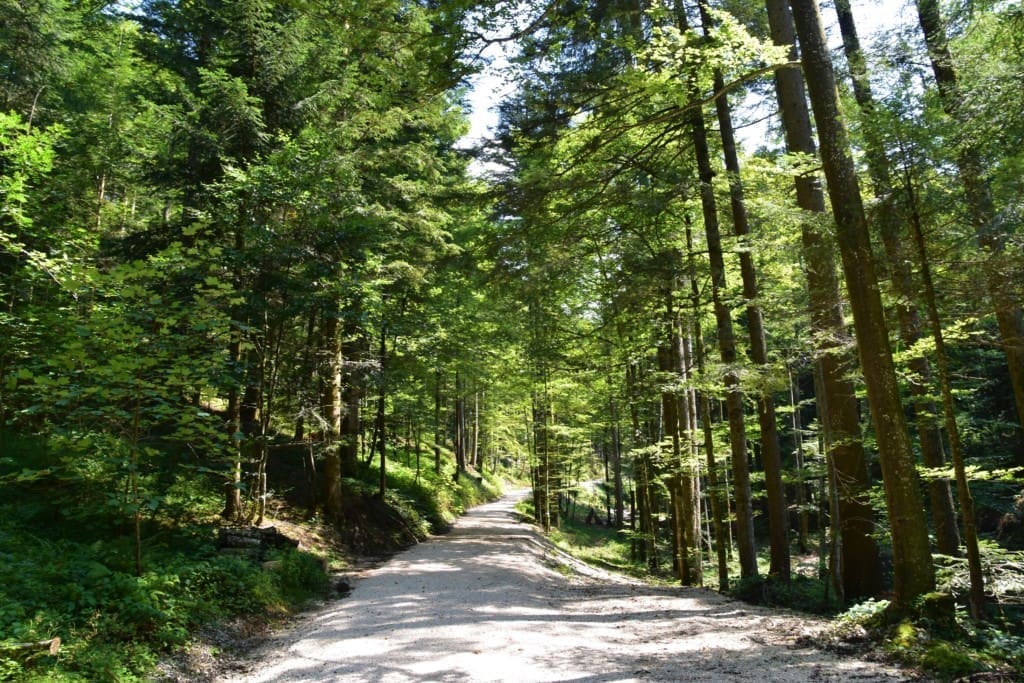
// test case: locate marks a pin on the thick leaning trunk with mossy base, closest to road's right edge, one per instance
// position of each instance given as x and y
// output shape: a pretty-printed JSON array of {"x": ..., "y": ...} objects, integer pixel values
[{"x": 915, "y": 575}]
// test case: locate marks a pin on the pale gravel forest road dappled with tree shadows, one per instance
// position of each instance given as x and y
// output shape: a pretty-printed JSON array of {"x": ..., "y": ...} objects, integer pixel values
[{"x": 493, "y": 601}]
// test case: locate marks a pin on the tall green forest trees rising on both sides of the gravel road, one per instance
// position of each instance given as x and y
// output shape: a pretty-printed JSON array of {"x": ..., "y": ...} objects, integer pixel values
[{"x": 248, "y": 260}]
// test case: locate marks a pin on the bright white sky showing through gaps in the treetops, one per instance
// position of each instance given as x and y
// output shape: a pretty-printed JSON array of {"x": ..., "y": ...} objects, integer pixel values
[{"x": 491, "y": 88}]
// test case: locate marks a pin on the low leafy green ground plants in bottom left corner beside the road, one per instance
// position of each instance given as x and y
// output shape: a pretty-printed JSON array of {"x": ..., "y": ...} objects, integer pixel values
[{"x": 114, "y": 625}]
